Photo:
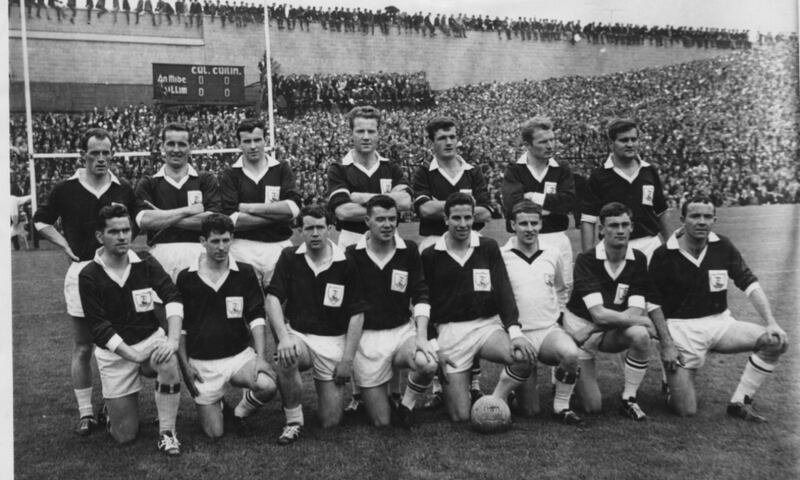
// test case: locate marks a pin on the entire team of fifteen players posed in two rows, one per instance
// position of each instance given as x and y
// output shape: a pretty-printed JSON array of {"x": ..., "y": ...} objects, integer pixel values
[{"x": 376, "y": 303}]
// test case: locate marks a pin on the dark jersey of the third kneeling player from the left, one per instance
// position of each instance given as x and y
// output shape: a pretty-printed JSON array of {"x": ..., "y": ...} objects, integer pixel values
[{"x": 318, "y": 302}]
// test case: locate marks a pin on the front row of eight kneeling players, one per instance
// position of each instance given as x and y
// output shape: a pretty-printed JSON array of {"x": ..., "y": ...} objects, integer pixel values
[{"x": 381, "y": 306}]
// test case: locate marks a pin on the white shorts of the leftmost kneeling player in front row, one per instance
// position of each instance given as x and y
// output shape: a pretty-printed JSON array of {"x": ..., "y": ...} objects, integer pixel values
[{"x": 120, "y": 377}]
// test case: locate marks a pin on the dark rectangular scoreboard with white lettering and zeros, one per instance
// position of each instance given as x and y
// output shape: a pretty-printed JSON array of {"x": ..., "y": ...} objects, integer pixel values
[{"x": 198, "y": 84}]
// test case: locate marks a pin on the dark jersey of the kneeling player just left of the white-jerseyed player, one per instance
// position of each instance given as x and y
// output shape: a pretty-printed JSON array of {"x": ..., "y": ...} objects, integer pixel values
[{"x": 463, "y": 290}]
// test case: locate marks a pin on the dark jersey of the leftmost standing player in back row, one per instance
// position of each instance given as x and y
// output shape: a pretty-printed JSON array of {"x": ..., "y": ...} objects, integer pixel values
[{"x": 78, "y": 206}]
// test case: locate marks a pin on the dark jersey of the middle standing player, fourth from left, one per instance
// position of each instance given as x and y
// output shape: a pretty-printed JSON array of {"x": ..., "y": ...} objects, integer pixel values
[{"x": 347, "y": 177}]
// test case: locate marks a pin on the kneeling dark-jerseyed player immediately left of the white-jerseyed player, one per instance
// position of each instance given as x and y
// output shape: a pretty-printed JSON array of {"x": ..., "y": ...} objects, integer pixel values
[{"x": 471, "y": 303}]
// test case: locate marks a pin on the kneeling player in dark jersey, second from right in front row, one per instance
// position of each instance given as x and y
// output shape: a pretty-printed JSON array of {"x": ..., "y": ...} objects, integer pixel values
[{"x": 609, "y": 294}]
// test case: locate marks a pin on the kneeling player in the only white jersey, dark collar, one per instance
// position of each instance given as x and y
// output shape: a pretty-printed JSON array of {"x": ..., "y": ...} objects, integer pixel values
[{"x": 540, "y": 291}]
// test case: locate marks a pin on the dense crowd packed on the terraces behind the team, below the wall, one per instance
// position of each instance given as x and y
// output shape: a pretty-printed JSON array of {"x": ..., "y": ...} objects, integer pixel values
[{"x": 725, "y": 126}]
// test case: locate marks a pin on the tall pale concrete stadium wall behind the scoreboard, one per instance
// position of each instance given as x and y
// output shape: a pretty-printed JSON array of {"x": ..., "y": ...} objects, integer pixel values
[{"x": 78, "y": 66}]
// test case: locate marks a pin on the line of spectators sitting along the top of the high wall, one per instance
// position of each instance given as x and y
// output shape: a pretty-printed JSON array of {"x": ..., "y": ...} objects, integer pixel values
[{"x": 390, "y": 19}]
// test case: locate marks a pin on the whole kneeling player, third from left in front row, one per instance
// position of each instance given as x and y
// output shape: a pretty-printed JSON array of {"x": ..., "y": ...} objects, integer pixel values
[{"x": 324, "y": 314}]
